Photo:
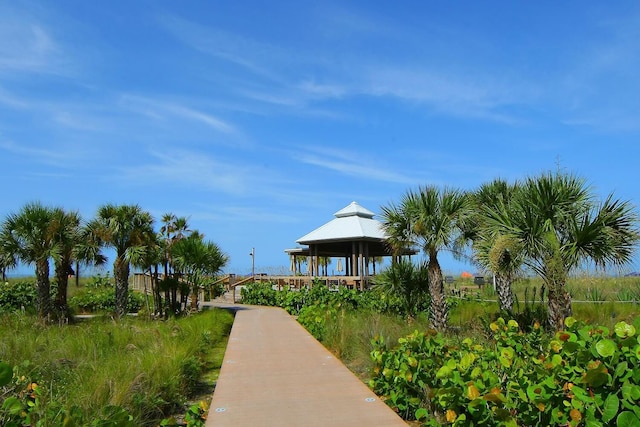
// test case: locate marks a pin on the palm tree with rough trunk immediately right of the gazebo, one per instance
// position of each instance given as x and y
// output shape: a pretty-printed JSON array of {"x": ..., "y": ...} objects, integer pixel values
[{"x": 434, "y": 219}]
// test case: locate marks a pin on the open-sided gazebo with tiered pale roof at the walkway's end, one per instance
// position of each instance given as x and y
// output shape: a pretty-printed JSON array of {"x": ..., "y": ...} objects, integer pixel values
[{"x": 353, "y": 237}]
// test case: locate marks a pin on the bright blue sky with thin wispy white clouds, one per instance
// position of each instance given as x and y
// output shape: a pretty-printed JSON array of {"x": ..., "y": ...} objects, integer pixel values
[{"x": 259, "y": 120}]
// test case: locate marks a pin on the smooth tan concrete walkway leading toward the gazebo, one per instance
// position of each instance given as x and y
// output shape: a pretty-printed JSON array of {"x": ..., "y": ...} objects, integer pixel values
[{"x": 275, "y": 373}]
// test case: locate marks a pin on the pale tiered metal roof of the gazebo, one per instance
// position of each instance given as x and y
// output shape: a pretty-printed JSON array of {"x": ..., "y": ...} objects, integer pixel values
[{"x": 352, "y": 222}]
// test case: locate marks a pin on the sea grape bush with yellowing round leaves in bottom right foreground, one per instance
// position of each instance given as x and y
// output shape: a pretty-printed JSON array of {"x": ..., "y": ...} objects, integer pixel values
[{"x": 582, "y": 376}]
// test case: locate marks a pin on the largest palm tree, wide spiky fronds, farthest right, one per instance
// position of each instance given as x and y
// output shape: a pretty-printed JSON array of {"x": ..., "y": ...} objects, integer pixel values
[{"x": 555, "y": 220}]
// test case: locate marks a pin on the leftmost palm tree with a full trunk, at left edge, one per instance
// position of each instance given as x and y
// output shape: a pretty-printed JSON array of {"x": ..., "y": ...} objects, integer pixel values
[{"x": 27, "y": 236}]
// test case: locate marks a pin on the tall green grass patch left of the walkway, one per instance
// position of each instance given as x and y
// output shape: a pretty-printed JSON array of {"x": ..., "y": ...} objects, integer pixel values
[{"x": 149, "y": 368}]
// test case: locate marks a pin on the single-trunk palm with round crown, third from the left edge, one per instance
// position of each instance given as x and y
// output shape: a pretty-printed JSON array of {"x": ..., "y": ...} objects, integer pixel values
[{"x": 128, "y": 229}]
